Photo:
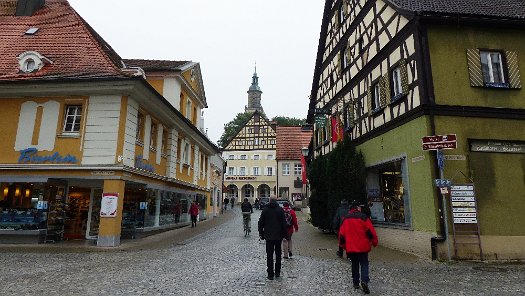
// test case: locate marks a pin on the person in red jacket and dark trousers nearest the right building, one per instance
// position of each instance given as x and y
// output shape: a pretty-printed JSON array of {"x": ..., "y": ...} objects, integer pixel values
[{"x": 357, "y": 234}]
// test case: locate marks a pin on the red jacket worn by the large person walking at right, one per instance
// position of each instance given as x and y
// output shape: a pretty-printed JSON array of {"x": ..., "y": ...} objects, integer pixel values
[{"x": 357, "y": 233}]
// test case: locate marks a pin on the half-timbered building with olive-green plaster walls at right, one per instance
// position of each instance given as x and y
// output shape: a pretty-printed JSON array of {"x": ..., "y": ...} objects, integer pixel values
[{"x": 397, "y": 71}]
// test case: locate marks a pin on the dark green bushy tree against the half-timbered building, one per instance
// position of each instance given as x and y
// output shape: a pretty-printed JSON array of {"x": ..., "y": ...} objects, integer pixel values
[{"x": 341, "y": 174}]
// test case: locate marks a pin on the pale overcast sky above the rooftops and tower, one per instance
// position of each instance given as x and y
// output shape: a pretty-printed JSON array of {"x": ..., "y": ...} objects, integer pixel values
[{"x": 226, "y": 37}]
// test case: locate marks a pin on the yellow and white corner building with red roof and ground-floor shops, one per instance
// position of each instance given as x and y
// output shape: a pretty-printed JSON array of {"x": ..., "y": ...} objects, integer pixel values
[{"x": 92, "y": 147}]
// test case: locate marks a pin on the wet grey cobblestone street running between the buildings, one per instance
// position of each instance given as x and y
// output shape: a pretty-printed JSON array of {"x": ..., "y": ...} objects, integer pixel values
[{"x": 215, "y": 259}]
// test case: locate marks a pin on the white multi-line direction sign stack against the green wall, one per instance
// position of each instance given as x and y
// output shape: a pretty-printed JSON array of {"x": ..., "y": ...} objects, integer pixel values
[{"x": 463, "y": 201}]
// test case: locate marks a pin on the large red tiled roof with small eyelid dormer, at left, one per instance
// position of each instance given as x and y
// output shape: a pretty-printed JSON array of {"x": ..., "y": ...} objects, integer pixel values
[{"x": 73, "y": 47}]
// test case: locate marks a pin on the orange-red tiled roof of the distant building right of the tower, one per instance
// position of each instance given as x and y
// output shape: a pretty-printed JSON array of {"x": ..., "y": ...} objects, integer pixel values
[{"x": 290, "y": 140}]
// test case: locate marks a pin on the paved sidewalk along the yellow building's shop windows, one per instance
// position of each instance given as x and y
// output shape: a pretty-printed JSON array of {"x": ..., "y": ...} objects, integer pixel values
[{"x": 156, "y": 241}]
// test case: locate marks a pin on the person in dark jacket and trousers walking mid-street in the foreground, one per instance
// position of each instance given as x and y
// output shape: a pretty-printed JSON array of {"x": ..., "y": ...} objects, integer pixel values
[{"x": 272, "y": 228}]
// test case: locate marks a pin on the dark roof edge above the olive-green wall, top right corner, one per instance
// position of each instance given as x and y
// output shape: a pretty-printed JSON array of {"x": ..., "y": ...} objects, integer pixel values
[{"x": 514, "y": 9}]
